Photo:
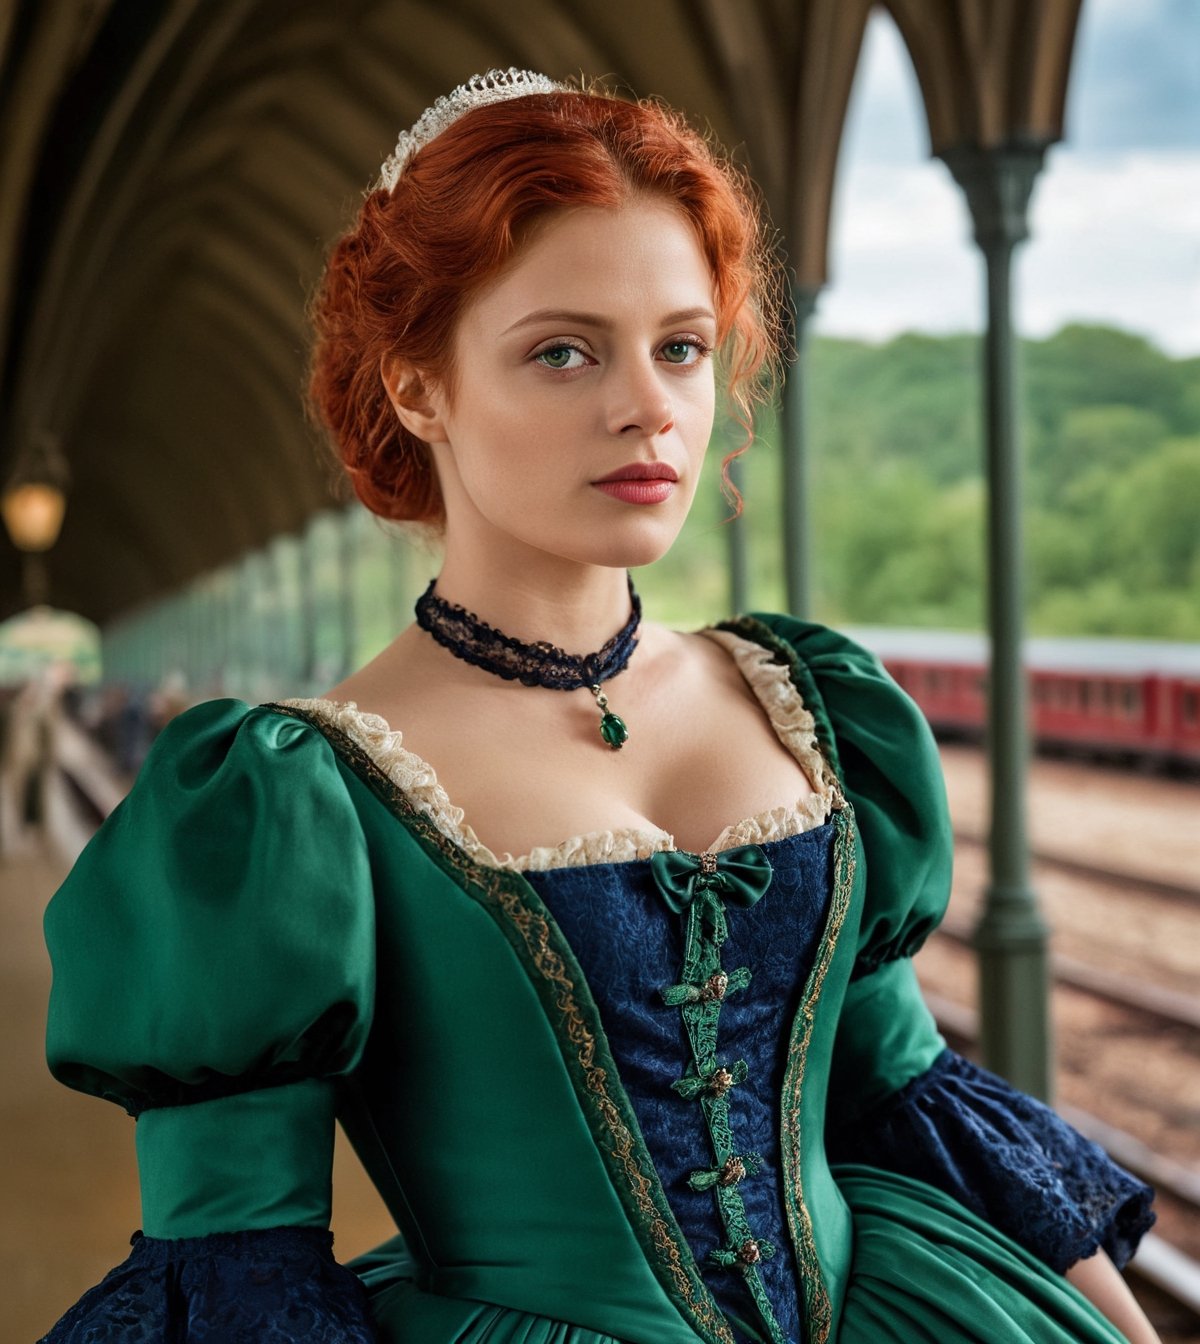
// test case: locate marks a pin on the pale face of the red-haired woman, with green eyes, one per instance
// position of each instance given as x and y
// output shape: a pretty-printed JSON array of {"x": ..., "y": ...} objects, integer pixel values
[{"x": 588, "y": 357}]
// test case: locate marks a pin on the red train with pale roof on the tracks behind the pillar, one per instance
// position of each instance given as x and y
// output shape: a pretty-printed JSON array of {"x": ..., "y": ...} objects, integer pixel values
[{"x": 1135, "y": 700}]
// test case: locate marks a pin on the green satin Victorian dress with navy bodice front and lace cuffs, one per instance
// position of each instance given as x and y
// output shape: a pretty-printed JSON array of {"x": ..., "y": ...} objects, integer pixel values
[{"x": 611, "y": 1091}]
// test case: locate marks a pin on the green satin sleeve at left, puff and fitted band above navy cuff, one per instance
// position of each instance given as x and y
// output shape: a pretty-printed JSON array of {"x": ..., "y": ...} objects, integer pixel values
[{"x": 213, "y": 955}]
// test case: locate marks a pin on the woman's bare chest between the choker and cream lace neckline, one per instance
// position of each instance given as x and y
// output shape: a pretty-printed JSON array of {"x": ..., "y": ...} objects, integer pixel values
[{"x": 529, "y": 767}]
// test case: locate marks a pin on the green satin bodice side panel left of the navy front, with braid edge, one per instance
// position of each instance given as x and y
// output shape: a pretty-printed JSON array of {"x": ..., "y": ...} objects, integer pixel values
[{"x": 491, "y": 1122}]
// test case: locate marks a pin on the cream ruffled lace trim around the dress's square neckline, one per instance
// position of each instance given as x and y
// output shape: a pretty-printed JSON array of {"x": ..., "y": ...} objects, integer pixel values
[{"x": 419, "y": 780}]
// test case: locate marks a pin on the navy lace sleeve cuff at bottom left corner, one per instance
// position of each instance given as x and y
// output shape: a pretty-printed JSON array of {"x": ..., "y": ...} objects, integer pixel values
[{"x": 240, "y": 1288}]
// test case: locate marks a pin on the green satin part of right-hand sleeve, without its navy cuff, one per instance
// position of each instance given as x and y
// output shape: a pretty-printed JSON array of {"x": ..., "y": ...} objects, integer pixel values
[{"x": 888, "y": 760}]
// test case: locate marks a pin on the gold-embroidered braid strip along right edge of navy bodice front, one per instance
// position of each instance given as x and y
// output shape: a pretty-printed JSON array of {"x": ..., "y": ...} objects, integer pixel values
[{"x": 820, "y": 1312}]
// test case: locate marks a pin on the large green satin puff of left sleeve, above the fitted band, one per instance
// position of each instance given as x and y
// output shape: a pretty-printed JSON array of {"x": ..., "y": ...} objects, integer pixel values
[{"x": 212, "y": 931}]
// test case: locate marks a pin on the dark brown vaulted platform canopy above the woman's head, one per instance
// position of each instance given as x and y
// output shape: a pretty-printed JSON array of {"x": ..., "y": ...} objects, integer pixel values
[{"x": 173, "y": 171}]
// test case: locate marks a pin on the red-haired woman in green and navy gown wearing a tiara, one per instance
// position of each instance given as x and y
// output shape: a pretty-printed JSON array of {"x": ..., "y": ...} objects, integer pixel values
[{"x": 589, "y": 1076}]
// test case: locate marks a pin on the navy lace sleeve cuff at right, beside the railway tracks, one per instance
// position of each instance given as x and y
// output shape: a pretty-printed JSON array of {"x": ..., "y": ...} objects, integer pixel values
[{"x": 1009, "y": 1158}]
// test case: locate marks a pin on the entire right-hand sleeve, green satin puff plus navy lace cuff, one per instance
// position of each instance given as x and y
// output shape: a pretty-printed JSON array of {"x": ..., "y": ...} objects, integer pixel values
[{"x": 898, "y": 1099}]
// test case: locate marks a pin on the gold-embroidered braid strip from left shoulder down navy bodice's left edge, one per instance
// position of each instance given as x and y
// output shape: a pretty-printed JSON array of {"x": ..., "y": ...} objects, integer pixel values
[{"x": 501, "y": 889}]
